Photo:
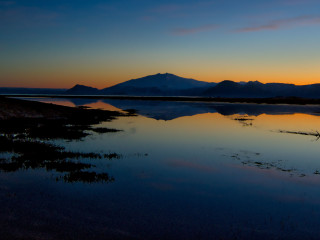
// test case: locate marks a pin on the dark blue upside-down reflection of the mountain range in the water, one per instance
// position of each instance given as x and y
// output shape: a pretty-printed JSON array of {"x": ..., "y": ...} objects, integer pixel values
[{"x": 165, "y": 110}]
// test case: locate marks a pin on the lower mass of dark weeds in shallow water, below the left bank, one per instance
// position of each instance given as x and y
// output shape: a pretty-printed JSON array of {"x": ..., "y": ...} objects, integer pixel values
[{"x": 33, "y": 154}]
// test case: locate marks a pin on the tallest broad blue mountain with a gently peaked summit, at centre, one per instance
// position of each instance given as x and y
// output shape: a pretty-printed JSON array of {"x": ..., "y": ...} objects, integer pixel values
[{"x": 159, "y": 85}]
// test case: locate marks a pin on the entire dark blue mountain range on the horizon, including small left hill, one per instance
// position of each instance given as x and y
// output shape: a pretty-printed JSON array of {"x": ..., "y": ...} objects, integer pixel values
[{"x": 168, "y": 84}]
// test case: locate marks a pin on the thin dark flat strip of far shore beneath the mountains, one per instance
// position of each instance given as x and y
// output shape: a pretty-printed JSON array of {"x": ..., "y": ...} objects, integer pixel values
[{"x": 275, "y": 100}]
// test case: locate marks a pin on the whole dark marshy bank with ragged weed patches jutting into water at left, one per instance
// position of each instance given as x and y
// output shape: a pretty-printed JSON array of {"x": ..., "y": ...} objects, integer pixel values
[{"x": 27, "y": 129}]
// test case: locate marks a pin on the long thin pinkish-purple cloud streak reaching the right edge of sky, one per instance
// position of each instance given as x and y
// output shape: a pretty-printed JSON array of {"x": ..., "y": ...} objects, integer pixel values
[{"x": 283, "y": 24}]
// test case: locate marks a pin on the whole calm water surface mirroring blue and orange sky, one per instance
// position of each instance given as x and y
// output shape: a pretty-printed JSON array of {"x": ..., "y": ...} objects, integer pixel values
[{"x": 188, "y": 171}]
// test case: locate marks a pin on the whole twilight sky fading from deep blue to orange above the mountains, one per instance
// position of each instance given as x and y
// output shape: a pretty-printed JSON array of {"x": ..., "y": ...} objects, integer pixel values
[{"x": 60, "y": 43}]
